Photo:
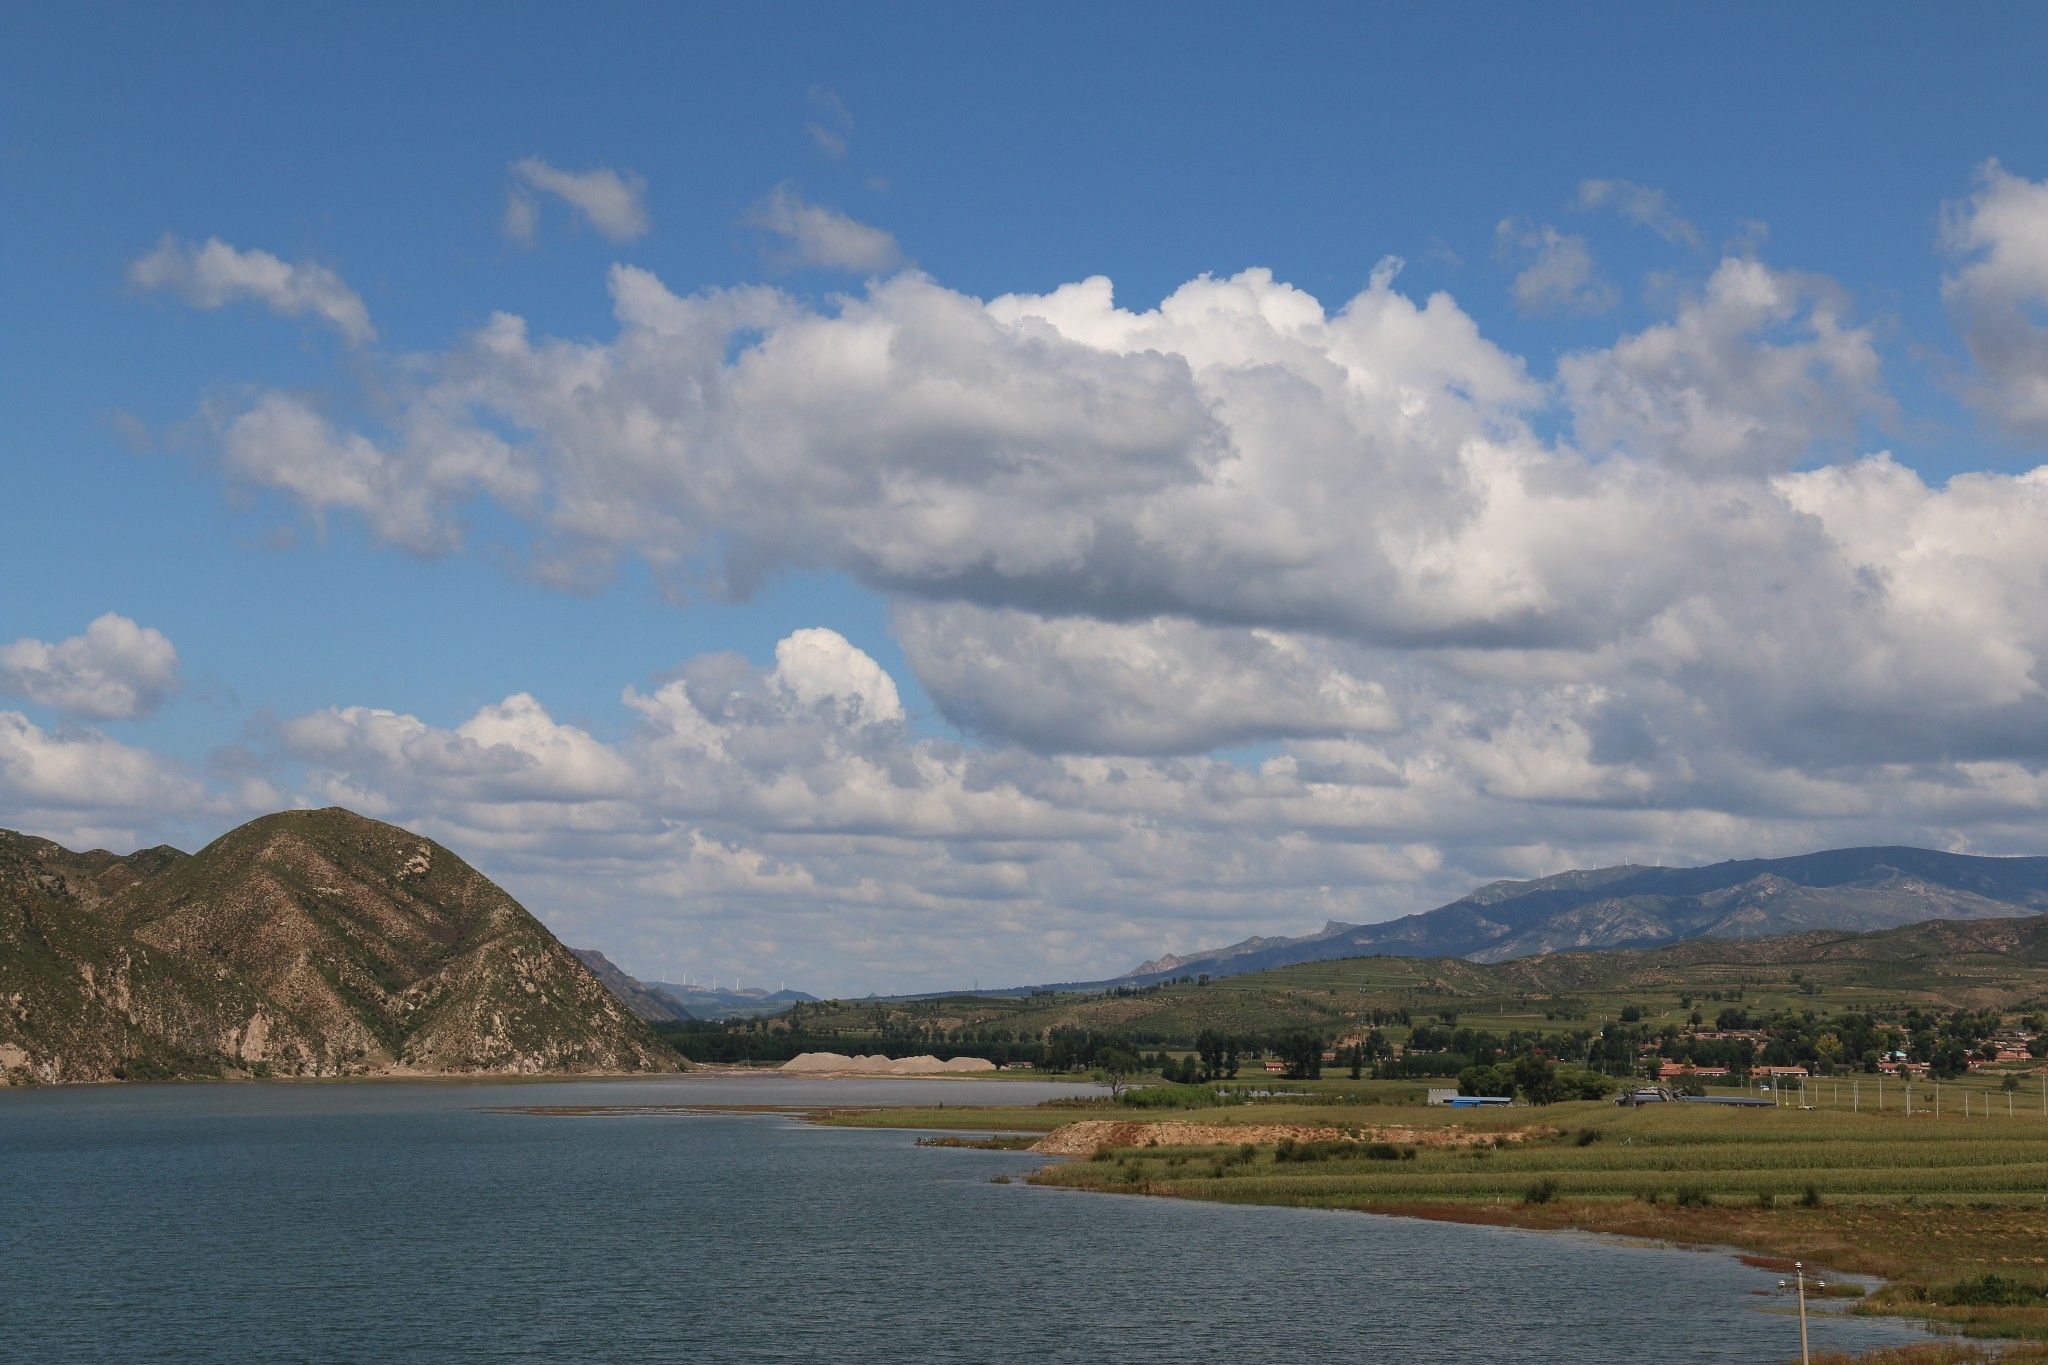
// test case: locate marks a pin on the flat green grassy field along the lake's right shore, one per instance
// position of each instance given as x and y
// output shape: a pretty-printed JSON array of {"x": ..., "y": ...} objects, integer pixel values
[{"x": 1930, "y": 1204}]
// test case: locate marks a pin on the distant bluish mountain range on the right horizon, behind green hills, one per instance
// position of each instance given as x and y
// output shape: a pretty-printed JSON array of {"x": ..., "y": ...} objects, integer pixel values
[{"x": 1650, "y": 908}]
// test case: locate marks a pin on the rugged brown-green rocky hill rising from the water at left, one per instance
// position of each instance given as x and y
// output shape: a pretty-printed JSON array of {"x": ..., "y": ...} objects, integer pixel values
[{"x": 306, "y": 944}]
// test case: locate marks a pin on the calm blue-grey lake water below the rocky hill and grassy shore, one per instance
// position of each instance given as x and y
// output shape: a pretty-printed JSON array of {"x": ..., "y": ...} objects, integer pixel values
[{"x": 413, "y": 1223}]
